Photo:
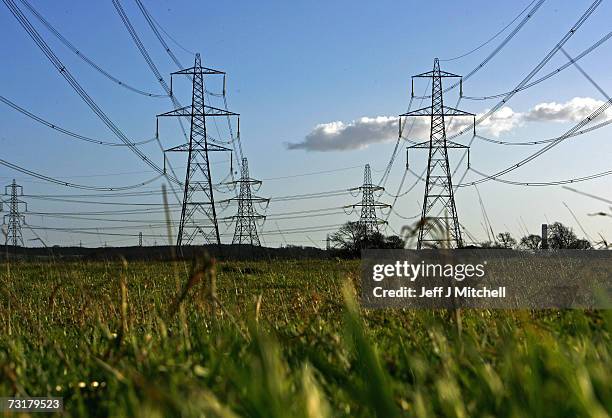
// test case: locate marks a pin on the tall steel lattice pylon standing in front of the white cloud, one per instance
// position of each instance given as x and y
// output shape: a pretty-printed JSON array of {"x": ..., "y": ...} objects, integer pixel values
[{"x": 439, "y": 210}]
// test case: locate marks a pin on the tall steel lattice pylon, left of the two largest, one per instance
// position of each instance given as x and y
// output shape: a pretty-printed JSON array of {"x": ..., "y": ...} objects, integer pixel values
[{"x": 198, "y": 196}]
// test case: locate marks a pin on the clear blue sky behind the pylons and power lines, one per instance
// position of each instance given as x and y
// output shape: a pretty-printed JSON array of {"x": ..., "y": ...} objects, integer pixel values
[{"x": 292, "y": 66}]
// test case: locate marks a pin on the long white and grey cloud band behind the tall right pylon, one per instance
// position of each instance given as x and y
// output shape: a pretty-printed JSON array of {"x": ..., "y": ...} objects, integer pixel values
[{"x": 360, "y": 133}]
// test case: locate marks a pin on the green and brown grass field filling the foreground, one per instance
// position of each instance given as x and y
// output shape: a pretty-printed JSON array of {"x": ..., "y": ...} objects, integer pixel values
[{"x": 283, "y": 339}]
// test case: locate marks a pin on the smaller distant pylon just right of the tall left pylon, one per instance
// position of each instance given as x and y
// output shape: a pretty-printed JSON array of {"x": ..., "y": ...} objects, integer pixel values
[{"x": 247, "y": 217}]
